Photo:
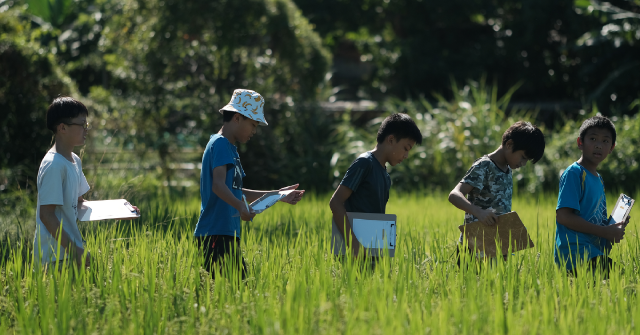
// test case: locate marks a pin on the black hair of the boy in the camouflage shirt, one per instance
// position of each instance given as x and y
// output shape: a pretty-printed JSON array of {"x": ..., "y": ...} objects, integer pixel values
[{"x": 527, "y": 137}]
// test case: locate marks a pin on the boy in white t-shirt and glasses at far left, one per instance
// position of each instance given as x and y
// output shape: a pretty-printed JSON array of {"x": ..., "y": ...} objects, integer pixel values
[{"x": 61, "y": 185}]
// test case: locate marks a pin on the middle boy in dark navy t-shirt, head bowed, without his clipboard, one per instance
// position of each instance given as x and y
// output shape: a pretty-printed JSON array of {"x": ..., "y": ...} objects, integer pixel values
[{"x": 365, "y": 186}]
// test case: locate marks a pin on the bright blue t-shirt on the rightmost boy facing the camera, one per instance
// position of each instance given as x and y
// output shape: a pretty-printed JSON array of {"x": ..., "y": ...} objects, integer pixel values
[{"x": 583, "y": 192}]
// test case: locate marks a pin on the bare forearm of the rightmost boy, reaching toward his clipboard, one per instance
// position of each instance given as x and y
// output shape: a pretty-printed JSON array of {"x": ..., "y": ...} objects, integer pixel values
[{"x": 614, "y": 233}]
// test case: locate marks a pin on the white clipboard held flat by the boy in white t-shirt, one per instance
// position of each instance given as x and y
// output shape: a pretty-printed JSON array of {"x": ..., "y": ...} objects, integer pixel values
[{"x": 117, "y": 209}]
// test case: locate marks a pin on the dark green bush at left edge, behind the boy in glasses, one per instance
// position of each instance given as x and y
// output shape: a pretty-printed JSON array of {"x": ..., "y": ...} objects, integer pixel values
[{"x": 29, "y": 80}]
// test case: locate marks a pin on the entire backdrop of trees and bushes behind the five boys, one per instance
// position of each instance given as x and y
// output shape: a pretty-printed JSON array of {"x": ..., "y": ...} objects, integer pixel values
[{"x": 154, "y": 74}]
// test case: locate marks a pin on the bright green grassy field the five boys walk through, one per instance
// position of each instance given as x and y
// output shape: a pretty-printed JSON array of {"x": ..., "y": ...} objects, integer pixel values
[{"x": 146, "y": 278}]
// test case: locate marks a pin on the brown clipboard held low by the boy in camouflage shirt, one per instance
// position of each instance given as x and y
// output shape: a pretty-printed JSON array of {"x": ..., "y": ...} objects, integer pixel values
[{"x": 509, "y": 230}]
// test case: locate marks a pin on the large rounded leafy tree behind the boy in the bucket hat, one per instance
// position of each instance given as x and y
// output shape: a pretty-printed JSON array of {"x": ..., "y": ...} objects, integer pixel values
[{"x": 171, "y": 68}]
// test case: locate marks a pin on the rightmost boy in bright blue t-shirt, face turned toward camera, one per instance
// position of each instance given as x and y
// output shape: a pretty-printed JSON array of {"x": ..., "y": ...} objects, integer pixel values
[{"x": 583, "y": 232}]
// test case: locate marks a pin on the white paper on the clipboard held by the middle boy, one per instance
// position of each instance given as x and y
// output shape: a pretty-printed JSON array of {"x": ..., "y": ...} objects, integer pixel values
[{"x": 372, "y": 234}]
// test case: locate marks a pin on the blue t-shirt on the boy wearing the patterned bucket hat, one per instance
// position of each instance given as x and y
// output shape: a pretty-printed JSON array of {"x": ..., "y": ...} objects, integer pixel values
[{"x": 217, "y": 216}]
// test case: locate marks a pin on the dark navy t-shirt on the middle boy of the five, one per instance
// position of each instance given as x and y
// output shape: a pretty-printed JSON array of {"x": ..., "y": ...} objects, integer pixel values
[{"x": 370, "y": 184}]
